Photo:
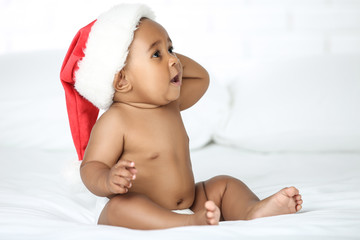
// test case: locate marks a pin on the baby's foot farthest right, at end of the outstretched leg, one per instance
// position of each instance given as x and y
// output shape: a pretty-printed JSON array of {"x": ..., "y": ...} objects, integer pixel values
[{"x": 287, "y": 200}]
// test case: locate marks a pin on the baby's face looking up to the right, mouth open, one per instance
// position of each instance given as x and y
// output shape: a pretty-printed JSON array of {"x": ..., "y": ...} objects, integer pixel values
[{"x": 152, "y": 68}]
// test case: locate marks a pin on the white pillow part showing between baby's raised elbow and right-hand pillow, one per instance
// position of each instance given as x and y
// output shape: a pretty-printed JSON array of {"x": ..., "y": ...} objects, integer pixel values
[{"x": 202, "y": 119}]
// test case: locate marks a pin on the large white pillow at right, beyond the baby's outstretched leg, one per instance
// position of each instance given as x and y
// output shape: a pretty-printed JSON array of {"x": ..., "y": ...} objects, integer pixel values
[{"x": 303, "y": 104}]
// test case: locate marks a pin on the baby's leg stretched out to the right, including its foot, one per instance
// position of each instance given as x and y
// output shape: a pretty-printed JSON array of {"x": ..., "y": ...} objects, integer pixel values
[{"x": 237, "y": 202}]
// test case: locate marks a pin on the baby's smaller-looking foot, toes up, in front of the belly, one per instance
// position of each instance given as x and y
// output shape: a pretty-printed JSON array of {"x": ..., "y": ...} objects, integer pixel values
[{"x": 210, "y": 215}]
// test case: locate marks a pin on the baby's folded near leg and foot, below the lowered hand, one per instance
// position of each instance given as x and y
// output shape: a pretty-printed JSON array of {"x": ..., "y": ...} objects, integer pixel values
[{"x": 139, "y": 212}]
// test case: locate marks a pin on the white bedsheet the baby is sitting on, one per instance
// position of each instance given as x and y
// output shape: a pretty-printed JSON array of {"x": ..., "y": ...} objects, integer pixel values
[{"x": 41, "y": 196}]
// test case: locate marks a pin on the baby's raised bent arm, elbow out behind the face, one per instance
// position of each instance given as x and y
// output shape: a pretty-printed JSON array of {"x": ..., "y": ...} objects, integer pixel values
[{"x": 195, "y": 82}]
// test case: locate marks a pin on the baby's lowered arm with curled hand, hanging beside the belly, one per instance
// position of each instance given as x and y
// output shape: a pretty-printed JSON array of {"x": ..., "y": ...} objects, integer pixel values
[{"x": 100, "y": 170}]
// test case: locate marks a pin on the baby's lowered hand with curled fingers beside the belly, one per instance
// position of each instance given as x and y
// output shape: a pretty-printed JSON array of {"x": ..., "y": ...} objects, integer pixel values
[{"x": 120, "y": 176}]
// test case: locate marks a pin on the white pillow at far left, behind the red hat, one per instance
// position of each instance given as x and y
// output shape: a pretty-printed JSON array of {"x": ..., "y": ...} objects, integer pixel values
[{"x": 32, "y": 101}]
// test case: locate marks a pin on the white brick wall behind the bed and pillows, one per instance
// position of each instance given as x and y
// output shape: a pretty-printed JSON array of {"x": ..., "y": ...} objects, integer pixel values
[{"x": 224, "y": 31}]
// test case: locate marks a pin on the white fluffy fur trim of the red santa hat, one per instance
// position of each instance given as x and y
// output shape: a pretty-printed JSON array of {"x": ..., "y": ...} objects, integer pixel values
[{"x": 106, "y": 52}]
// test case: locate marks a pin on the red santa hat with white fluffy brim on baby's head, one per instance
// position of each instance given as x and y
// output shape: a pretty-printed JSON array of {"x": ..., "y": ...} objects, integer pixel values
[{"x": 97, "y": 53}]
